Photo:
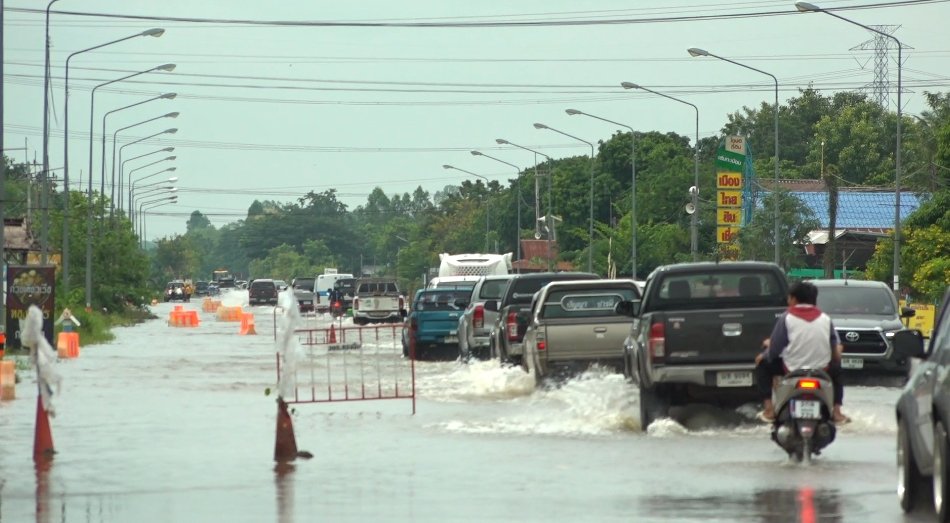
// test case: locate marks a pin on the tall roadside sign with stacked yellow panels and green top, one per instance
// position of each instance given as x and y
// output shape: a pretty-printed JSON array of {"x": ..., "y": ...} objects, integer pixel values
[{"x": 730, "y": 164}]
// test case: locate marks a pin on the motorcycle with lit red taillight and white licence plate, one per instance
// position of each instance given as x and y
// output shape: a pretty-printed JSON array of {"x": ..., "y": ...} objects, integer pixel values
[{"x": 804, "y": 402}]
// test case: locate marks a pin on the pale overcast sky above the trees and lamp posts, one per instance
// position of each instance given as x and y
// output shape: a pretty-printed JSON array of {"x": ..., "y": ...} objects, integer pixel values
[{"x": 355, "y": 95}]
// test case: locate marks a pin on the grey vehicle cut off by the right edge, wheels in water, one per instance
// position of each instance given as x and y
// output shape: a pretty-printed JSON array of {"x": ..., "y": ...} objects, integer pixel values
[{"x": 923, "y": 414}]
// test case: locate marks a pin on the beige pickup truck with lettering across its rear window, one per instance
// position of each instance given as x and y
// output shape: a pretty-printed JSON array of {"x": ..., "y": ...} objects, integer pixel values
[{"x": 573, "y": 325}]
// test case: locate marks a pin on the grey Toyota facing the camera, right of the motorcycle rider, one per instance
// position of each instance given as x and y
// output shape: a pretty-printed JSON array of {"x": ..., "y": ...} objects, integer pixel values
[{"x": 866, "y": 316}]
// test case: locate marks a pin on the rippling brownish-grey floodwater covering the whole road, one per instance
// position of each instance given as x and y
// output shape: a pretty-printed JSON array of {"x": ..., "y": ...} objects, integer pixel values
[{"x": 176, "y": 424}]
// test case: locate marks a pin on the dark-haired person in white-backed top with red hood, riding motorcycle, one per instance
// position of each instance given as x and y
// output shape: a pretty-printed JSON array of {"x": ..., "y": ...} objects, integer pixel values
[{"x": 803, "y": 337}]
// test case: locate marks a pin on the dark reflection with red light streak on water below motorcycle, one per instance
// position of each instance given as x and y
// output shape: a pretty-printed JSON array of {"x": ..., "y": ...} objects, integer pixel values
[{"x": 804, "y": 505}]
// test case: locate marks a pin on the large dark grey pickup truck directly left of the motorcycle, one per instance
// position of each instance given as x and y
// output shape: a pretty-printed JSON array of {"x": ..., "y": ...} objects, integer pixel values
[{"x": 697, "y": 330}]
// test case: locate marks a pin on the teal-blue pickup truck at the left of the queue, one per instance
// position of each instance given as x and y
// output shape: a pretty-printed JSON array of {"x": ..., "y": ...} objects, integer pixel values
[{"x": 432, "y": 324}]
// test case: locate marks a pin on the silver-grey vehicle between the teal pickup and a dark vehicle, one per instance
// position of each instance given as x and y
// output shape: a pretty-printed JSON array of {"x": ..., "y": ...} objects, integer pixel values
[{"x": 476, "y": 323}]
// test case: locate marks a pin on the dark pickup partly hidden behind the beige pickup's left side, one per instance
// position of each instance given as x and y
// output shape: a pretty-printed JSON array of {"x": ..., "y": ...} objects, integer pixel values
[{"x": 513, "y": 308}]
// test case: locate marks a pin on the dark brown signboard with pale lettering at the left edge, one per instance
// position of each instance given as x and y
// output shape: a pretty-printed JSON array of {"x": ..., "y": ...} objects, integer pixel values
[{"x": 29, "y": 285}]
